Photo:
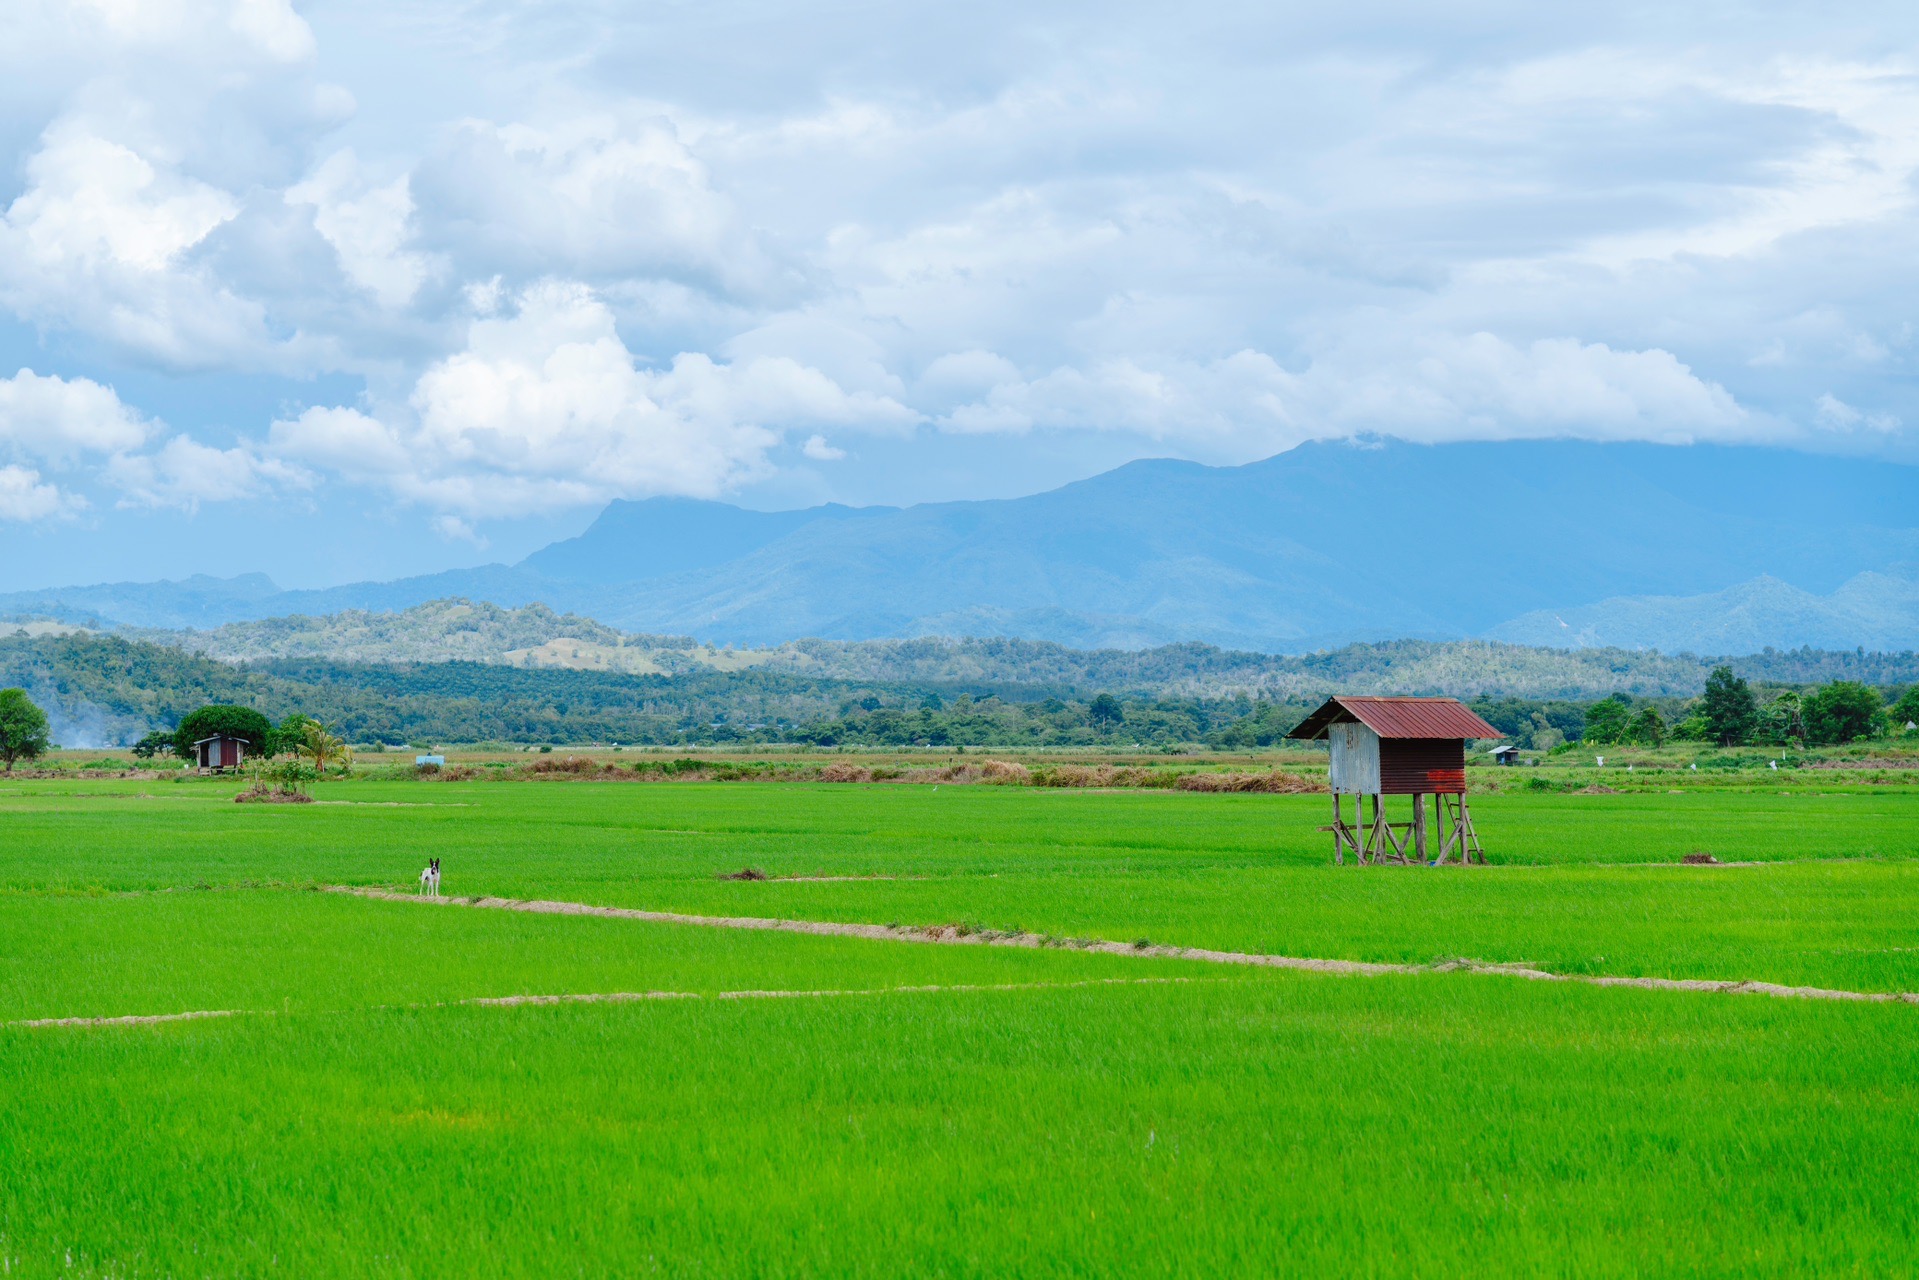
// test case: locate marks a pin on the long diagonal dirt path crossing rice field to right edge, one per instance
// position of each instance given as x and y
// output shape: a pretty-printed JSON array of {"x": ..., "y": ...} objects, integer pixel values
[{"x": 957, "y": 936}]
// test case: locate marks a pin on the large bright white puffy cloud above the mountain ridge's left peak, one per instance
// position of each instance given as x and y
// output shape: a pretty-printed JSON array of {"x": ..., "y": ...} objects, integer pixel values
[{"x": 548, "y": 408}]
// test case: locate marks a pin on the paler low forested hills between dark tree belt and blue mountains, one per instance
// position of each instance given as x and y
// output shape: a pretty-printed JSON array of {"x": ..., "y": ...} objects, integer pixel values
[{"x": 540, "y": 638}]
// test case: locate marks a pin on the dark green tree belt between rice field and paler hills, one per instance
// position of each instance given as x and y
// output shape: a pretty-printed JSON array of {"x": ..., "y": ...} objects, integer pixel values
[{"x": 147, "y": 690}]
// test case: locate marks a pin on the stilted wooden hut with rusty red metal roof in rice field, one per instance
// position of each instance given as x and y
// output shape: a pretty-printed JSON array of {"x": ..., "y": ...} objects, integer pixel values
[{"x": 1398, "y": 747}]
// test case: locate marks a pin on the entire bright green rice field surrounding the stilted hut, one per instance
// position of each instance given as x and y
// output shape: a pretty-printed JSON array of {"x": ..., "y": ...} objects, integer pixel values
[{"x": 769, "y": 1102}]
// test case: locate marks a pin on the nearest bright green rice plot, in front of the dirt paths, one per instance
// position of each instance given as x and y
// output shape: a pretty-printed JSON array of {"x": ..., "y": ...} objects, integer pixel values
[{"x": 1406, "y": 1126}]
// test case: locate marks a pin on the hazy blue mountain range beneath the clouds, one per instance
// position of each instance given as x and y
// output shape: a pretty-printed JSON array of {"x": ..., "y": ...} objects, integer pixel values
[{"x": 1713, "y": 550}]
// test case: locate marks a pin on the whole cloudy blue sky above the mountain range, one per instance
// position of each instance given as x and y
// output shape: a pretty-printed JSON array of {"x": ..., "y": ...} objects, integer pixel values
[{"x": 343, "y": 289}]
